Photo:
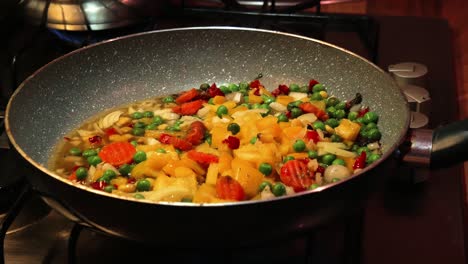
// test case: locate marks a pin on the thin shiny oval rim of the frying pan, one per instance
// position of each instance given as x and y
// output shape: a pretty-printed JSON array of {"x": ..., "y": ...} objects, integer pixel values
[{"x": 54, "y": 175}]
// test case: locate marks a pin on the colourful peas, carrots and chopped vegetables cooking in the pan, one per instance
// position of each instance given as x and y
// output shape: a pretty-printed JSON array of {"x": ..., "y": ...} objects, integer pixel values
[{"x": 229, "y": 143}]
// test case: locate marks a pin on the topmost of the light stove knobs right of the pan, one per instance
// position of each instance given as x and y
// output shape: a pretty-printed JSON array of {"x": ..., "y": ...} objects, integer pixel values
[{"x": 409, "y": 73}]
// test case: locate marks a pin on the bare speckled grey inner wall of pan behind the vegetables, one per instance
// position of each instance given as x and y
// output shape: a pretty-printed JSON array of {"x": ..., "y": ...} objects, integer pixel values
[{"x": 72, "y": 89}]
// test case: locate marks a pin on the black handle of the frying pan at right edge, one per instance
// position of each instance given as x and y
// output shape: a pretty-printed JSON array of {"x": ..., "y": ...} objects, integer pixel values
[{"x": 450, "y": 144}]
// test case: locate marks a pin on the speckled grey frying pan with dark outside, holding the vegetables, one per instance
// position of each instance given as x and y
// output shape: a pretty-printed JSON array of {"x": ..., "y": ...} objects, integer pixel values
[{"x": 61, "y": 95}]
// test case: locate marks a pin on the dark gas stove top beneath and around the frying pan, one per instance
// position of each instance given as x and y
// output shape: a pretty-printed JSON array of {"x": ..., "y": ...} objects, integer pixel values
[{"x": 402, "y": 222}]
